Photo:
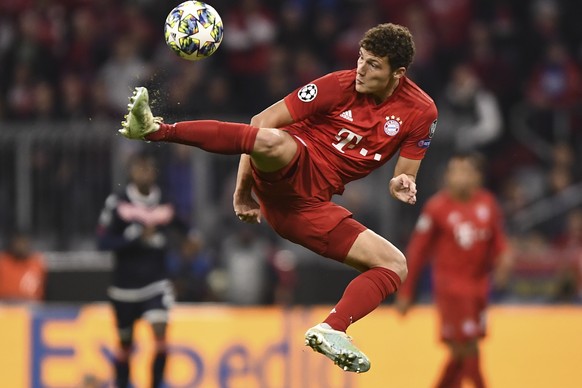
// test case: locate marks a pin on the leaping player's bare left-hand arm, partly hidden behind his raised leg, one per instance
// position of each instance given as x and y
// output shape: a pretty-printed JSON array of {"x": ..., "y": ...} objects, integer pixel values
[{"x": 245, "y": 206}]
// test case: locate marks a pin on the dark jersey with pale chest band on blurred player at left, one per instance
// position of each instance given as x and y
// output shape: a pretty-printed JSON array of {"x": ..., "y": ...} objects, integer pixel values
[{"x": 139, "y": 261}]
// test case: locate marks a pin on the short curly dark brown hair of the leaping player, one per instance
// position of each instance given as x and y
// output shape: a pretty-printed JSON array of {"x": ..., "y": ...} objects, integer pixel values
[{"x": 390, "y": 40}]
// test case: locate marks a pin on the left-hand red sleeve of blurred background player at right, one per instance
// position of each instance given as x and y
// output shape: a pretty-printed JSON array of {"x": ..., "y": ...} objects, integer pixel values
[{"x": 419, "y": 248}]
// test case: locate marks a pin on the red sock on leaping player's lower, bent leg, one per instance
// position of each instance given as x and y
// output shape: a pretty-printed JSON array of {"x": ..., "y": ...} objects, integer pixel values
[{"x": 362, "y": 296}]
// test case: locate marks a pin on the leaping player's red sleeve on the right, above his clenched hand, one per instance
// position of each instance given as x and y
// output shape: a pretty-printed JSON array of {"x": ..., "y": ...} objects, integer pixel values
[{"x": 419, "y": 138}]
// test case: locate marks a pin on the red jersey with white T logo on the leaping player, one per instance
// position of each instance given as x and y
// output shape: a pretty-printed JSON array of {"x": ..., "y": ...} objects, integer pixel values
[{"x": 348, "y": 135}]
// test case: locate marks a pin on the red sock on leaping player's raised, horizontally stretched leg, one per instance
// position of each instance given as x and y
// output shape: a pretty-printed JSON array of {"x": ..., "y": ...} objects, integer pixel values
[{"x": 210, "y": 135}]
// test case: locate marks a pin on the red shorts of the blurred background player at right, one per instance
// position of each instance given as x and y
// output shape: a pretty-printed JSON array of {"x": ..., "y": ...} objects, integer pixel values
[{"x": 462, "y": 316}]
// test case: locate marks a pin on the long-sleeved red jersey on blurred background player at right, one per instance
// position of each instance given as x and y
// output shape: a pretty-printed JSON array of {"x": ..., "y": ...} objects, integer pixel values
[{"x": 462, "y": 238}]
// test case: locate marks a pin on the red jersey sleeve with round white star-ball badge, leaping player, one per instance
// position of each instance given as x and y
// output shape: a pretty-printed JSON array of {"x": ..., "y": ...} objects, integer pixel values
[{"x": 321, "y": 95}]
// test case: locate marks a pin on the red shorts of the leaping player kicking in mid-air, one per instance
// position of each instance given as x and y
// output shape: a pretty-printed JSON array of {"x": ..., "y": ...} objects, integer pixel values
[{"x": 295, "y": 201}]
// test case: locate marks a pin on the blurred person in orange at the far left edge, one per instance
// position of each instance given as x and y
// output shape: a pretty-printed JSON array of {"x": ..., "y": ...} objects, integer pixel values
[{"x": 22, "y": 271}]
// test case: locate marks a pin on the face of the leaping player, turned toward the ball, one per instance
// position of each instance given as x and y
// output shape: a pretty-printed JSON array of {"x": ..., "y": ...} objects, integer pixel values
[{"x": 375, "y": 76}]
